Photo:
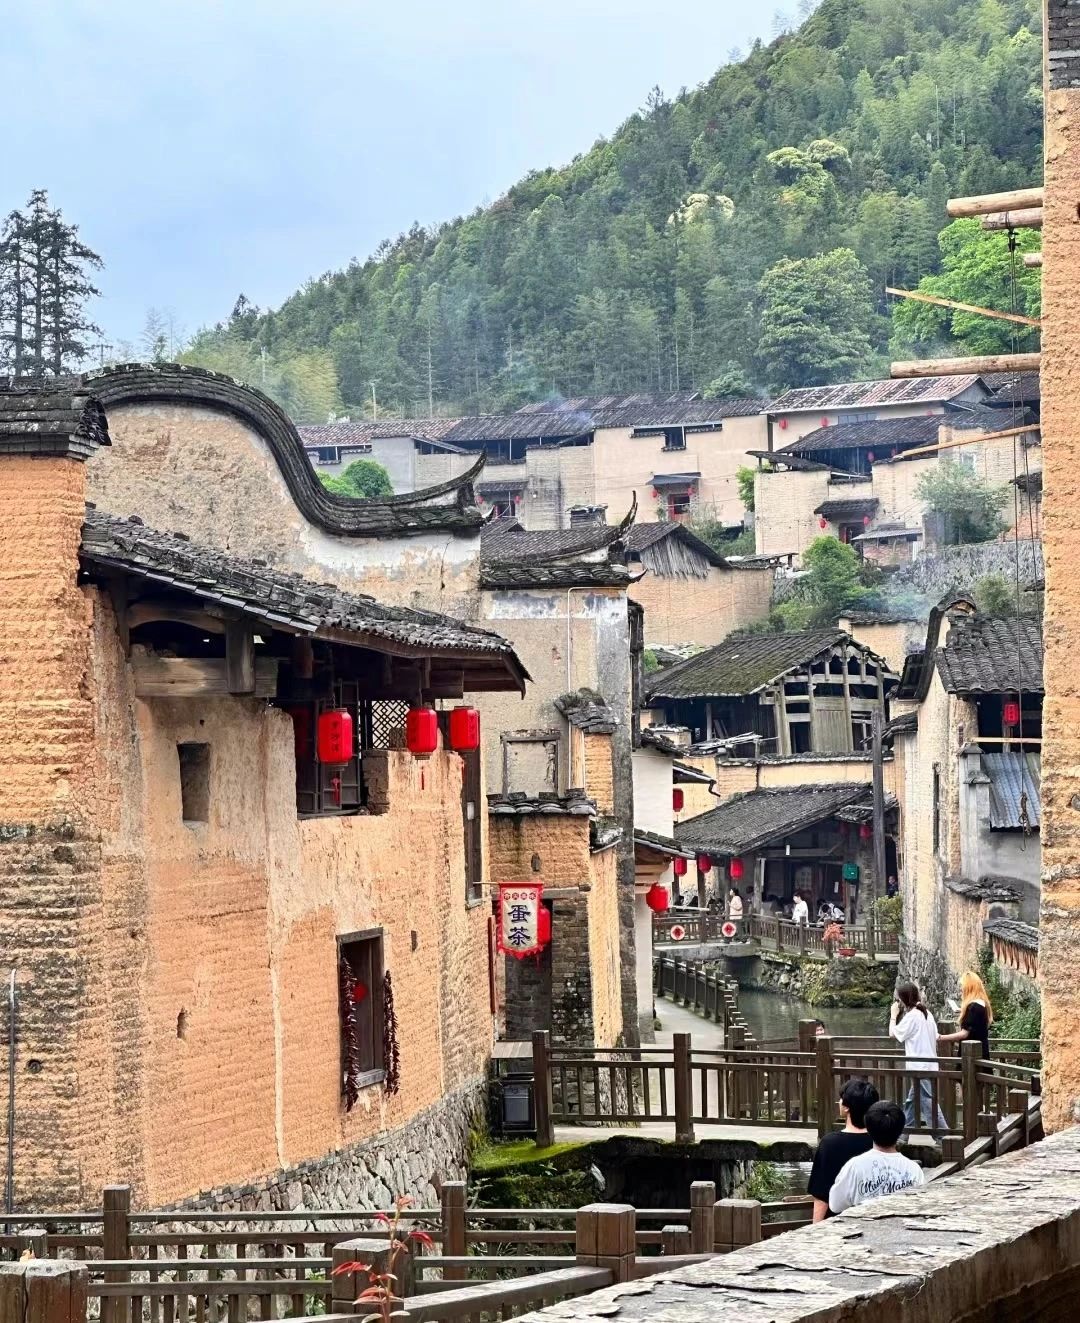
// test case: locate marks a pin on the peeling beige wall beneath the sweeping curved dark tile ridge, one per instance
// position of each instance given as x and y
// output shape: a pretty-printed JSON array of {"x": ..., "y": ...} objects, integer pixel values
[{"x": 208, "y": 476}]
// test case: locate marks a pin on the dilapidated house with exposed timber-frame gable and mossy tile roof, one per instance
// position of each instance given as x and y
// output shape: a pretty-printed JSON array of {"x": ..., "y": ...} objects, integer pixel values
[{"x": 811, "y": 693}]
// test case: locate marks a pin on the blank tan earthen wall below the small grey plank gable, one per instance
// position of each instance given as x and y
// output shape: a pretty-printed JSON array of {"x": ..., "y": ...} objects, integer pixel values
[{"x": 702, "y": 611}]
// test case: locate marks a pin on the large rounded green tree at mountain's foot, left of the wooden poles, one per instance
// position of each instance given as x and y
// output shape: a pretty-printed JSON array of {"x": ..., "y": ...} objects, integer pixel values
[{"x": 817, "y": 320}]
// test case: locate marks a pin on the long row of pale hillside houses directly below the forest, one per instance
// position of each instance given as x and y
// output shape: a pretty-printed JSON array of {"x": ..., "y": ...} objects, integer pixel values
[{"x": 546, "y": 461}]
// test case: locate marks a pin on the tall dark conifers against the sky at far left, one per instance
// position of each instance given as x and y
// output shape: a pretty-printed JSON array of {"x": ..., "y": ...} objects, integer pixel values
[{"x": 44, "y": 288}]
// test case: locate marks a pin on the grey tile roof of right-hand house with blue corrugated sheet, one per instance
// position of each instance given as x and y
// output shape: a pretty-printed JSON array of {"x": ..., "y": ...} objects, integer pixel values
[{"x": 988, "y": 656}]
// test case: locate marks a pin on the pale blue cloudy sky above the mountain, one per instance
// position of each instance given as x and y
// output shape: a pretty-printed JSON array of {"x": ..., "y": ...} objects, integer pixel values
[{"x": 223, "y": 146}]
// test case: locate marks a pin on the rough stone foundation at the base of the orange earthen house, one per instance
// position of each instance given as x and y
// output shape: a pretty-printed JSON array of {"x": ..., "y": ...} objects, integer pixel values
[{"x": 414, "y": 1161}]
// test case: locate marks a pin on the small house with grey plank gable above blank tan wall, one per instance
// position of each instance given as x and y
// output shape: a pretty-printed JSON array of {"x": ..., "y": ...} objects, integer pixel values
[{"x": 690, "y": 593}]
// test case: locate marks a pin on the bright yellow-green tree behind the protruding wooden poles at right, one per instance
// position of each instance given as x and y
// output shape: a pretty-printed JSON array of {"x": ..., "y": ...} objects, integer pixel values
[{"x": 977, "y": 268}]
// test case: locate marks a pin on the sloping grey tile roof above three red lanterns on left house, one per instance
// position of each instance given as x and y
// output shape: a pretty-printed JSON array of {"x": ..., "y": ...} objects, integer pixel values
[{"x": 283, "y": 599}]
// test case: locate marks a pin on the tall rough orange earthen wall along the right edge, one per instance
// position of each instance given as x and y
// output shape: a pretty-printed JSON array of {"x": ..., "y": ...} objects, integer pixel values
[{"x": 1059, "y": 947}]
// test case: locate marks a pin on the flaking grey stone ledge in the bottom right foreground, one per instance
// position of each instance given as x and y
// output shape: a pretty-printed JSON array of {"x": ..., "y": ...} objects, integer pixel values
[{"x": 1000, "y": 1242}]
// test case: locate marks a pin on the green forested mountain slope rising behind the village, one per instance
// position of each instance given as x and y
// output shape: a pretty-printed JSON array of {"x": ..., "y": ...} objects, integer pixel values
[{"x": 738, "y": 236}]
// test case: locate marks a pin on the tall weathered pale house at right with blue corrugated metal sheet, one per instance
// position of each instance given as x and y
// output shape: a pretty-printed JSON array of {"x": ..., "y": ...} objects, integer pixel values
[{"x": 969, "y": 788}]
